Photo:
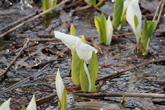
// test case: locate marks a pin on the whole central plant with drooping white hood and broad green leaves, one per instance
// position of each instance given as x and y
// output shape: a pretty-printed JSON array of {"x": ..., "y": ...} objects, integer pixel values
[{"x": 81, "y": 54}]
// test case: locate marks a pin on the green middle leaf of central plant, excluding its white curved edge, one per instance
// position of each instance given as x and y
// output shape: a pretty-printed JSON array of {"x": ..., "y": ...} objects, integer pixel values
[{"x": 83, "y": 77}]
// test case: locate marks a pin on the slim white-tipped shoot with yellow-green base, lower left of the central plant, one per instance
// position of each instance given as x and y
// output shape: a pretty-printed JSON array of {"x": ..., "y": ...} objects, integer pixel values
[{"x": 61, "y": 92}]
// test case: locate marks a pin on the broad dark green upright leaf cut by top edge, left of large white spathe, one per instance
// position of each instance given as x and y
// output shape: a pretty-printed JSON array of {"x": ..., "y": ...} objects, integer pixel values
[{"x": 118, "y": 9}]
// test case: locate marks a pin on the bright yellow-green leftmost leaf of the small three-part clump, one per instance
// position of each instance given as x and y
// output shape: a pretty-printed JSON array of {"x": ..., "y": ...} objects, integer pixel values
[{"x": 99, "y": 28}]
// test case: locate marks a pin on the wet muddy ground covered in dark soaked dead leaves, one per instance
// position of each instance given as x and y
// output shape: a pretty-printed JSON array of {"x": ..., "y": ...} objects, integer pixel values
[{"x": 121, "y": 55}]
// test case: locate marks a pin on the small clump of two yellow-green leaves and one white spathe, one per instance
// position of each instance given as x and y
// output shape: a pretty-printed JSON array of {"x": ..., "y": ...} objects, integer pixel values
[{"x": 104, "y": 28}]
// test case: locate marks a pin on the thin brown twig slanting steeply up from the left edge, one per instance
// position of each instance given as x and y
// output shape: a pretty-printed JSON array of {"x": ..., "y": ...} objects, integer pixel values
[{"x": 15, "y": 58}]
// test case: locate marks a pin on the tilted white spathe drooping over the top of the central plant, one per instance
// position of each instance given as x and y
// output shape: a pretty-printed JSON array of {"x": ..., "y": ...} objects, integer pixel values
[{"x": 84, "y": 51}]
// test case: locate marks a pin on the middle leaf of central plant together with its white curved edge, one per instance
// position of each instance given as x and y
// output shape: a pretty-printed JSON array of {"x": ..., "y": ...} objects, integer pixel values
[{"x": 85, "y": 79}]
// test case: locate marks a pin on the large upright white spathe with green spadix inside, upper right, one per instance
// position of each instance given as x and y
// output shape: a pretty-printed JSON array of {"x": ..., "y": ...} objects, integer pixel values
[{"x": 134, "y": 9}]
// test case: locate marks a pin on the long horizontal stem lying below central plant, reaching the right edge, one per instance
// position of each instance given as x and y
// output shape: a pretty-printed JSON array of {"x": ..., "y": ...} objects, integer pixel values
[{"x": 115, "y": 94}]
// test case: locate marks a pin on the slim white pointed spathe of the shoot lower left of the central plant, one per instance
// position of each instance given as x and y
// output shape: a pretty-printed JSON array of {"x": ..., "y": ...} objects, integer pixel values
[{"x": 59, "y": 86}]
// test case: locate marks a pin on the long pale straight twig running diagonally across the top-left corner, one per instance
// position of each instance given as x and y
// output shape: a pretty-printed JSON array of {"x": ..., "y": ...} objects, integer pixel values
[{"x": 31, "y": 19}]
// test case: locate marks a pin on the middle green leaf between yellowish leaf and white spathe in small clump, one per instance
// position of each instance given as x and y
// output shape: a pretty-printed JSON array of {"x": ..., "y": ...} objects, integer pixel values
[{"x": 103, "y": 27}]
